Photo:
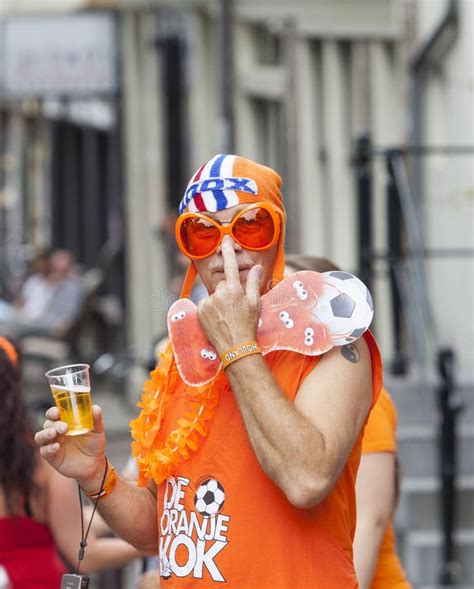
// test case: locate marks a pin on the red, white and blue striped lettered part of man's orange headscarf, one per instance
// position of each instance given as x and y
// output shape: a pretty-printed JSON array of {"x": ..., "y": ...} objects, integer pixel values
[{"x": 213, "y": 187}]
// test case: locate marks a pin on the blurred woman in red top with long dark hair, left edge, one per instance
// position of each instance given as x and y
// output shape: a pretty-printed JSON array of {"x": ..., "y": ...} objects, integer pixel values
[{"x": 40, "y": 520}]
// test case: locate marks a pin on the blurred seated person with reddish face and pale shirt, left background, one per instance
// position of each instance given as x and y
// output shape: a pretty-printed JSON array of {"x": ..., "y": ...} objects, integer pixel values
[{"x": 50, "y": 300}]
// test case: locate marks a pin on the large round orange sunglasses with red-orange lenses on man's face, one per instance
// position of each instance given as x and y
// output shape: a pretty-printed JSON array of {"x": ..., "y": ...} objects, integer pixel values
[{"x": 257, "y": 227}]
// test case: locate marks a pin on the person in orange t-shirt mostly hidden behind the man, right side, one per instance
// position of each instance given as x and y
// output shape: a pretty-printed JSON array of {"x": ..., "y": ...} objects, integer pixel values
[{"x": 376, "y": 561}]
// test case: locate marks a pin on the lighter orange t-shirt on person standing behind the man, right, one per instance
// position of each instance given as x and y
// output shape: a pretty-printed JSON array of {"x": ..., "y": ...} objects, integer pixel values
[{"x": 380, "y": 436}]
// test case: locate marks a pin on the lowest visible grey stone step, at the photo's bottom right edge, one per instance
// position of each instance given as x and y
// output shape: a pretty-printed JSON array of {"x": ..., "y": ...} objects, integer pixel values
[{"x": 422, "y": 556}]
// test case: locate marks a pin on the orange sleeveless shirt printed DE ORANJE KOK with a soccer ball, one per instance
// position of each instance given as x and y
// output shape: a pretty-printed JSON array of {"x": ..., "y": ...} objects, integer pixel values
[{"x": 222, "y": 520}]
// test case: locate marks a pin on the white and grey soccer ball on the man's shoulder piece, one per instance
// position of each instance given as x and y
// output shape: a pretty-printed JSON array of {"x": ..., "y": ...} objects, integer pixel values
[{"x": 346, "y": 307}]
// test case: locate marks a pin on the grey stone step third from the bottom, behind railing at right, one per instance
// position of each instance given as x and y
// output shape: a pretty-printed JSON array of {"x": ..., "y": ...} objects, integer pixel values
[{"x": 418, "y": 450}]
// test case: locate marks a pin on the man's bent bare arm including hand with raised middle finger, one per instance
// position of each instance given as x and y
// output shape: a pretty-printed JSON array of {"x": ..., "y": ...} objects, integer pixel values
[{"x": 303, "y": 446}]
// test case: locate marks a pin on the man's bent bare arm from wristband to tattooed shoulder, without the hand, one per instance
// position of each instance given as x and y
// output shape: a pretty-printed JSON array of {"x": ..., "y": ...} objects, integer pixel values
[{"x": 304, "y": 446}]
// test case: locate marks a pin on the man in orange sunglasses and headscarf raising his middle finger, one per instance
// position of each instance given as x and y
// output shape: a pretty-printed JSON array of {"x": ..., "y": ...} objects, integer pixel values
[{"x": 268, "y": 480}]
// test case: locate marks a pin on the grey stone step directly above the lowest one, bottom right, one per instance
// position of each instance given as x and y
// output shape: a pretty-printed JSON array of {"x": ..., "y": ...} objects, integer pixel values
[{"x": 419, "y": 505}]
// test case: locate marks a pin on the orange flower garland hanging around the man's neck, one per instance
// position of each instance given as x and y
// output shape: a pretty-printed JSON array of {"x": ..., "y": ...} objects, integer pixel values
[{"x": 159, "y": 458}]
